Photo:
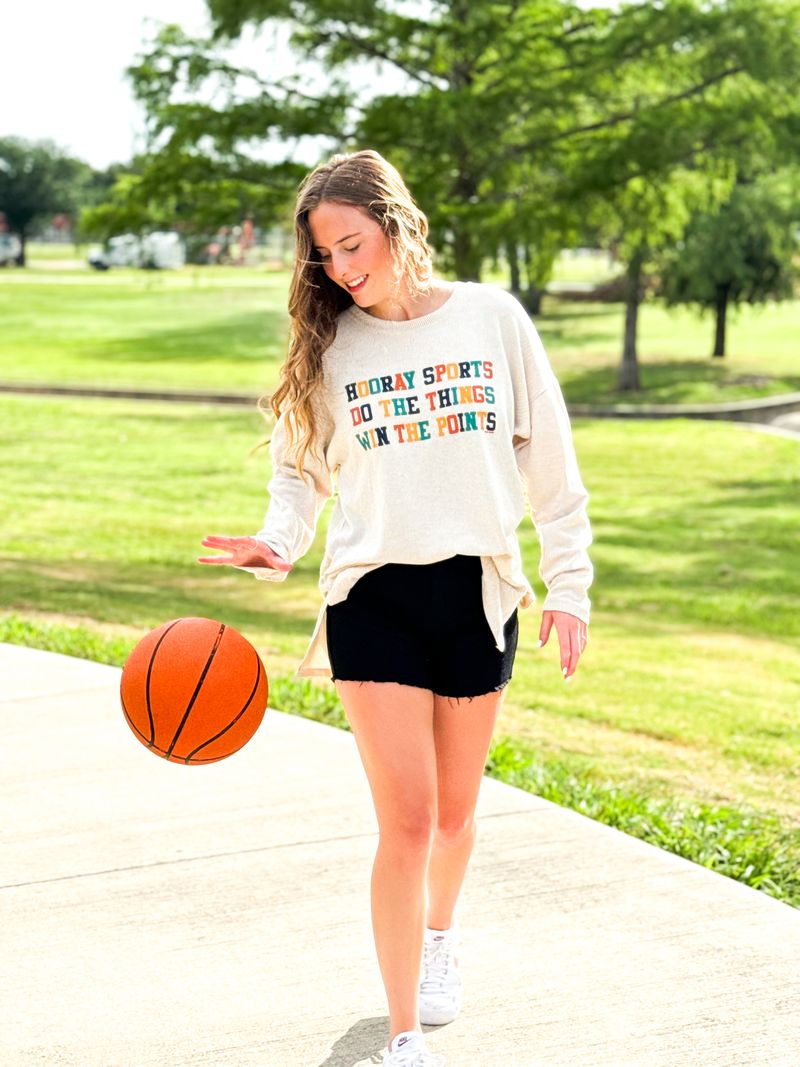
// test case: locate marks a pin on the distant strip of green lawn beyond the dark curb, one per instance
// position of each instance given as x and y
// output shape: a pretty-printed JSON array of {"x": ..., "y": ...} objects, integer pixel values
[{"x": 222, "y": 328}]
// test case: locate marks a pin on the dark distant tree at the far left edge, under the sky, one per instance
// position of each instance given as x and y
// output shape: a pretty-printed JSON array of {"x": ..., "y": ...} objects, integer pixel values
[{"x": 37, "y": 181}]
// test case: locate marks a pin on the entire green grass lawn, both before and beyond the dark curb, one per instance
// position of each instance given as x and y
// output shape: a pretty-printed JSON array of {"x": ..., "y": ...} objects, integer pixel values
[{"x": 690, "y": 690}]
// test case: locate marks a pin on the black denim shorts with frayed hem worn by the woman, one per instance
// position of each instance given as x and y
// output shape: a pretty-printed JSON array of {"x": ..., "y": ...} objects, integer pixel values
[{"x": 421, "y": 625}]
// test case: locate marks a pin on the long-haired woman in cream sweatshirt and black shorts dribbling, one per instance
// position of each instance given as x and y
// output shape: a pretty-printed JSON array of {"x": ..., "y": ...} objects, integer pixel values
[{"x": 435, "y": 406}]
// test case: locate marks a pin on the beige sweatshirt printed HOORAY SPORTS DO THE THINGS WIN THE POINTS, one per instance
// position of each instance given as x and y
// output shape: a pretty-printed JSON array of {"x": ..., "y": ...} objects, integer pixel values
[{"x": 433, "y": 433}]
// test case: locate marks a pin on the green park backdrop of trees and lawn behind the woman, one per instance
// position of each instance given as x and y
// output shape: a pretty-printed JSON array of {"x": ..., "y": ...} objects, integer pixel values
[{"x": 631, "y": 173}]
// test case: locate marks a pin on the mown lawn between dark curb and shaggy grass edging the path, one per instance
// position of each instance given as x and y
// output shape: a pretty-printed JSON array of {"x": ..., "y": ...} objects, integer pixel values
[{"x": 690, "y": 687}]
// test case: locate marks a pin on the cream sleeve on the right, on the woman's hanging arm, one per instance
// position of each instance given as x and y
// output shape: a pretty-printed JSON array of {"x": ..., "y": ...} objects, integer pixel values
[{"x": 547, "y": 460}]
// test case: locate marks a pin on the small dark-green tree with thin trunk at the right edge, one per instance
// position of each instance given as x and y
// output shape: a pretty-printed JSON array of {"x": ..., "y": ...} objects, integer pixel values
[{"x": 742, "y": 253}]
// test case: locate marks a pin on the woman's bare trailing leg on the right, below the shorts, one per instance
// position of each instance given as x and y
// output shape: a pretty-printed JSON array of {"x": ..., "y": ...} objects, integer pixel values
[{"x": 462, "y": 732}]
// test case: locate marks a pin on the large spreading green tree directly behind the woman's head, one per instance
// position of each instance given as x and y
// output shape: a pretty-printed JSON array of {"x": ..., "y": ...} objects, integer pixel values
[{"x": 503, "y": 103}]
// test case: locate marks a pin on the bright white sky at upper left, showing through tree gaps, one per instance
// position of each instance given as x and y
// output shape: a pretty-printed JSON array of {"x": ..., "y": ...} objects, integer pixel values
[{"x": 62, "y": 73}]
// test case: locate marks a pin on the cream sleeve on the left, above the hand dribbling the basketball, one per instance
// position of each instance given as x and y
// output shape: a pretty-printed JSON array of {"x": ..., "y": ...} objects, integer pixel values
[{"x": 296, "y": 504}]
